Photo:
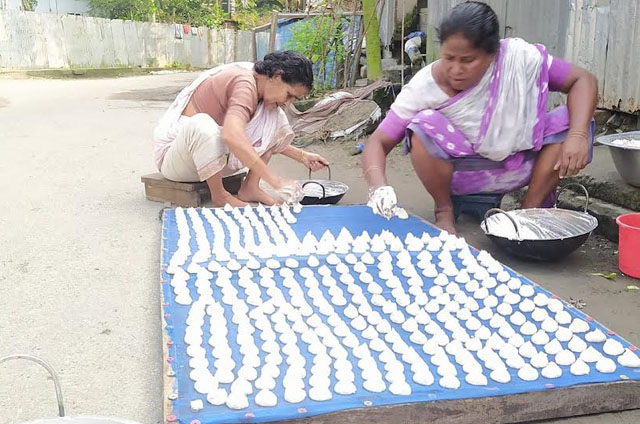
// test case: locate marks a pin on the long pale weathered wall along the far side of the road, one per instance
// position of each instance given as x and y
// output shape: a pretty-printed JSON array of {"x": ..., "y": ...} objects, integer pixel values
[{"x": 30, "y": 40}]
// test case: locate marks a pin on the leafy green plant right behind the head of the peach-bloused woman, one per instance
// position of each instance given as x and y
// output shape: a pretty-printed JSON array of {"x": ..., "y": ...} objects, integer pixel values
[{"x": 321, "y": 40}]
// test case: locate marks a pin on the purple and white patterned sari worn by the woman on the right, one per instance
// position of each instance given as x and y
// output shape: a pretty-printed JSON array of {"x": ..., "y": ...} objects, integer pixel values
[{"x": 493, "y": 131}]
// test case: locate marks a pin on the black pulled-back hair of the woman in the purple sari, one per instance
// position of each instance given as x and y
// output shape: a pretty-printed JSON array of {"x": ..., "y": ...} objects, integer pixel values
[{"x": 476, "y": 21}]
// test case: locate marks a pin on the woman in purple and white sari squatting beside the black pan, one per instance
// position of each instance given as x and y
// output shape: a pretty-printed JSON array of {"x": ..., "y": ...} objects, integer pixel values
[{"x": 476, "y": 120}]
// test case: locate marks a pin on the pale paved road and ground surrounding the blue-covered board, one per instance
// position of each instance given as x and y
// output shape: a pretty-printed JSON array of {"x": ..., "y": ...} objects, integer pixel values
[{"x": 80, "y": 247}]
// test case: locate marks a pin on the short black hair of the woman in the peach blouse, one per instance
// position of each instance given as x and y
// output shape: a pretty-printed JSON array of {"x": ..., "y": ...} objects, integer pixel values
[{"x": 293, "y": 67}]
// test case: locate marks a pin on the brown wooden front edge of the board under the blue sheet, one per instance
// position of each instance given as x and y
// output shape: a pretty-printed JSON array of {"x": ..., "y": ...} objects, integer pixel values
[{"x": 542, "y": 405}]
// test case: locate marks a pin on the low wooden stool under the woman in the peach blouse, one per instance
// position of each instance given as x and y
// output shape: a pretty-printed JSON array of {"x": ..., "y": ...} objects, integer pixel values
[{"x": 158, "y": 189}]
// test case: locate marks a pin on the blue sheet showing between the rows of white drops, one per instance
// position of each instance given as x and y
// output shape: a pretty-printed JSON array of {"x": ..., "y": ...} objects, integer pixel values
[{"x": 356, "y": 219}]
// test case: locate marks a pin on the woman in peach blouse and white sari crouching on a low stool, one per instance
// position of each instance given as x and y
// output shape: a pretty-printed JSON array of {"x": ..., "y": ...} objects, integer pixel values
[{"x": 229, "y": 119}]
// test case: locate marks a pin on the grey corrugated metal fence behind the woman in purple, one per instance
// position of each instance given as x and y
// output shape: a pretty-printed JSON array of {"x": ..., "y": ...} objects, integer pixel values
[{"x": 600, "y": 35}]
